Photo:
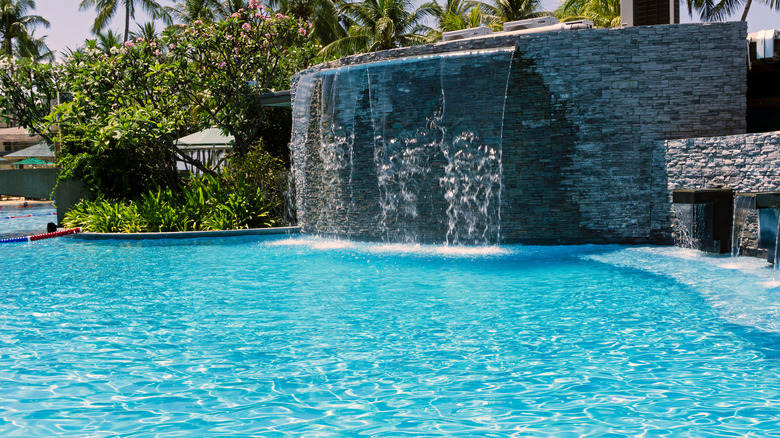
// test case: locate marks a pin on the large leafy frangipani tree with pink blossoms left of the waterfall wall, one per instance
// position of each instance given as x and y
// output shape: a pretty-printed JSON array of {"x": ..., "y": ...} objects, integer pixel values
[{"x": 128, "y": 105}]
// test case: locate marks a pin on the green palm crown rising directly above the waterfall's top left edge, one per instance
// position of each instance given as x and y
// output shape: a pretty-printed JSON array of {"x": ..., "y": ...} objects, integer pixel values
[{"x": 379, "y": 25}]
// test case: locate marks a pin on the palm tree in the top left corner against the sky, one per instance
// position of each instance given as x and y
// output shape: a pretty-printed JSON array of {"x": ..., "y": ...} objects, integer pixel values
[{"x": 16, "y": 27}]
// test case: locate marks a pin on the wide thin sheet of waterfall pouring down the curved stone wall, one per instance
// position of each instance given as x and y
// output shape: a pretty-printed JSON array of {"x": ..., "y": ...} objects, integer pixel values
[{"x": 400, "y": 141}]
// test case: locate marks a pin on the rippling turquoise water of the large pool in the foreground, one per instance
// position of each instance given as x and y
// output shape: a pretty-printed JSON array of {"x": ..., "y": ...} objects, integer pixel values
[{"x": 291, "y": 336}]
